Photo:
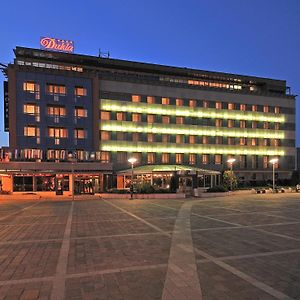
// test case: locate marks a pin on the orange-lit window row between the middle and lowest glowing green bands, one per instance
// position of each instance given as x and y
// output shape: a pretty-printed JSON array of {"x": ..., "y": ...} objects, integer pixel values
[{"x": 192, "y": 139}]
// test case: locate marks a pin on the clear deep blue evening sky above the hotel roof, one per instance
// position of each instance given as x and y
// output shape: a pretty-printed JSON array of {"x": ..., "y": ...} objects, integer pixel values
[{"x": 256, "y": 37}]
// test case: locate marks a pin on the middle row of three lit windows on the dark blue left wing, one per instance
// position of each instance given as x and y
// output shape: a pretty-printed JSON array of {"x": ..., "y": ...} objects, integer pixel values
[{"x": 60, "y": 111}]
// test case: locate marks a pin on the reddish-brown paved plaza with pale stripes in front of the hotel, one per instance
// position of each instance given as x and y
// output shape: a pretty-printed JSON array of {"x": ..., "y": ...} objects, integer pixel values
[{"x": 237, "y": 248}]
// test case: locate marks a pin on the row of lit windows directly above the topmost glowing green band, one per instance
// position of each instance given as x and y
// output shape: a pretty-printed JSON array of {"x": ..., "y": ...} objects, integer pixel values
[{"x": 208, "y": 104}]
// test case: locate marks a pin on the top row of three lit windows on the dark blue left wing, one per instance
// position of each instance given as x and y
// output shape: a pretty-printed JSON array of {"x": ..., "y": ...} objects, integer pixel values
[{"x": 53, "y": 89}]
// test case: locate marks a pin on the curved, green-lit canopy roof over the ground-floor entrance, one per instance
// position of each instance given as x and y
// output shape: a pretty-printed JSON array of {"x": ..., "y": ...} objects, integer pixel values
[{"x": 169, "y": 168}]
